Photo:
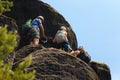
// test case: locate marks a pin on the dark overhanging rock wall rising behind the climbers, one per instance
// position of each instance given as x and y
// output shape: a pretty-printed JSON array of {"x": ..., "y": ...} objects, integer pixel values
[{"x": 29, "y": 9}]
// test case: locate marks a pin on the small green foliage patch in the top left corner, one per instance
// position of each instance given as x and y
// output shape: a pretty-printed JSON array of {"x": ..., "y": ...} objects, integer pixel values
[{"x": 5, "y": 6}]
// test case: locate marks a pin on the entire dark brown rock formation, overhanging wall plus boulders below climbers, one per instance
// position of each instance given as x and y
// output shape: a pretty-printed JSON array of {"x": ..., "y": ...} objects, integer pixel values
[{"x": 50, "y": 63}]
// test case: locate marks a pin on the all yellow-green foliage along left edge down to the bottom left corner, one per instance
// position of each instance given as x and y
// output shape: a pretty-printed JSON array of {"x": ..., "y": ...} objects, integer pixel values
[{"x": 7, "y": 44}]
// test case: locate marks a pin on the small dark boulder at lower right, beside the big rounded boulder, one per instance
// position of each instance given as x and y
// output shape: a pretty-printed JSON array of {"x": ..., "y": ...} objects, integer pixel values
[{"x": 102, "y": 70}]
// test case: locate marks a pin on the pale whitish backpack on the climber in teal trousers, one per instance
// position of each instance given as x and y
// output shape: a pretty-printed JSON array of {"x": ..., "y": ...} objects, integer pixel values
[{"x": 60, "y": 37}]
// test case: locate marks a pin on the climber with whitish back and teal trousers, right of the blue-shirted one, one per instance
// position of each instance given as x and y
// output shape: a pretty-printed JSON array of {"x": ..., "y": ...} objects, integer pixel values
[{"x": 62, "y": 40}]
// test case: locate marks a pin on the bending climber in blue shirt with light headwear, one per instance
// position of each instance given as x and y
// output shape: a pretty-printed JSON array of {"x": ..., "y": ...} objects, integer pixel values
[{"x": 37, "y": 30}]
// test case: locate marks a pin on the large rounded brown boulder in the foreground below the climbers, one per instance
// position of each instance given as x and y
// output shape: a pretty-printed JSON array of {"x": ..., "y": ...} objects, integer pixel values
[{"x": 54, "y": 64}]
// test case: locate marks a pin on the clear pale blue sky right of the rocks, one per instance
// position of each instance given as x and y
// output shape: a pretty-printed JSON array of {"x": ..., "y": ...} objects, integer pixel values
[{"x": 97, "y": 27}]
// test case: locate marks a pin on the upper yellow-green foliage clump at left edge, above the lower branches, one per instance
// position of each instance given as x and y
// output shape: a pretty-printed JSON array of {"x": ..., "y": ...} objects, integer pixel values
[{"x": 7, "y": 42}]
